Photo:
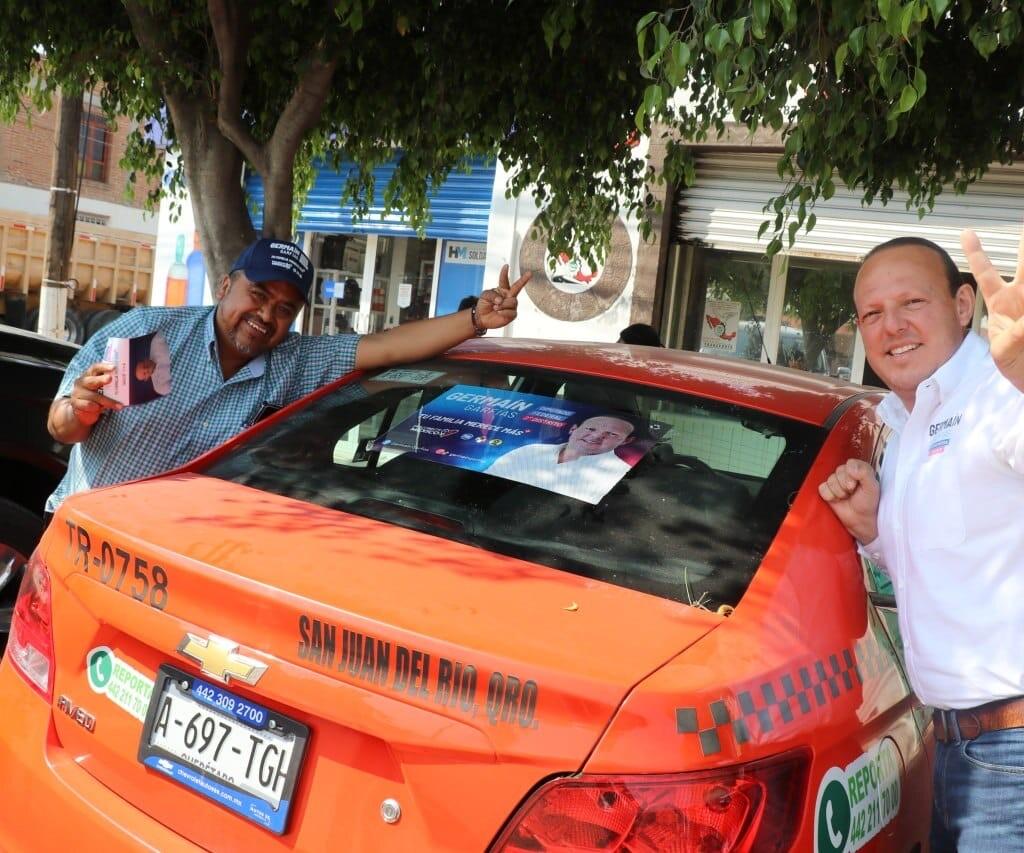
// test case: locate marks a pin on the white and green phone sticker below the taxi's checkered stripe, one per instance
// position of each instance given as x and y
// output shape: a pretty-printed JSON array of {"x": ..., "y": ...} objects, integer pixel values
[{"x": 857, "y": 802}]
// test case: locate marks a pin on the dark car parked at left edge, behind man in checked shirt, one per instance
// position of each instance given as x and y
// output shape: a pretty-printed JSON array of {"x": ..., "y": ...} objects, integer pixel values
[{"x": 31, "y": 462}]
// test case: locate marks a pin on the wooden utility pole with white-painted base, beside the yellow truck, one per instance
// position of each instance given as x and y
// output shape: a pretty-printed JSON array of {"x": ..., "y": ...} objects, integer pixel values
[{"x": 54, "y": 294}]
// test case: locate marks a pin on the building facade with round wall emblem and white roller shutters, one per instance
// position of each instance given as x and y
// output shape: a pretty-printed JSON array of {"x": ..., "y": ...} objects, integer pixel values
[{"x": 704, "y": 281}]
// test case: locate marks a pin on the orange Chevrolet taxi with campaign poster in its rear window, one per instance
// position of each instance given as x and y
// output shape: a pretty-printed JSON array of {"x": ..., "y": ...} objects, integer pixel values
[{"x": 525, "y": 598}]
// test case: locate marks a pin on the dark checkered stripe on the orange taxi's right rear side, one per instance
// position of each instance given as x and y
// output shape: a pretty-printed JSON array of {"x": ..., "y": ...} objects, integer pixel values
[{"x": 772, "y": 705}]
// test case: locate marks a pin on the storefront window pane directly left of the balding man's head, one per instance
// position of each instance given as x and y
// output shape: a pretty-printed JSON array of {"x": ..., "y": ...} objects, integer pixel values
[{"x": 818, "y": 332}]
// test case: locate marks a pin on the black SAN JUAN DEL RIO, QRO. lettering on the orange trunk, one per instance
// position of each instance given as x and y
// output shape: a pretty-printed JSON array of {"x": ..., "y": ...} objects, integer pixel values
[{"x": 455, "y": 685}]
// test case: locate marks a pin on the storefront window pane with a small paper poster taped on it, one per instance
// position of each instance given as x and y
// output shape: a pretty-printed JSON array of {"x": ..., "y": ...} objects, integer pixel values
[{"x": 731, "y": 297}]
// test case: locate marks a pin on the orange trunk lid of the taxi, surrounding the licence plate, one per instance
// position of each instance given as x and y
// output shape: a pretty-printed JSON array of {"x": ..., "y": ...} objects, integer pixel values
[{"x": 437, "y": 675}]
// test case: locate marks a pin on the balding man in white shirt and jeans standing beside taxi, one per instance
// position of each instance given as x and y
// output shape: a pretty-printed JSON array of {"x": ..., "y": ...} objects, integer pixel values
[{"x": 946, "y": 522}]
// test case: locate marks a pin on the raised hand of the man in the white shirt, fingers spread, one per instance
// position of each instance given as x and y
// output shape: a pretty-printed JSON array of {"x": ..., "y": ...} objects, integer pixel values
[{"x": 1006, "y": 308}]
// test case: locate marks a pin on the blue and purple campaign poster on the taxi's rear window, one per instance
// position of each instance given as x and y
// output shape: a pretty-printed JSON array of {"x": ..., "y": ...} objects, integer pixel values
[{"x": 569, "y": 448}]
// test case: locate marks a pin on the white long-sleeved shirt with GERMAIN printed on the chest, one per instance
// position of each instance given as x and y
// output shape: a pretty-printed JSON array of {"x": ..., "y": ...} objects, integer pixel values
[{"x": 952, "y": 531}]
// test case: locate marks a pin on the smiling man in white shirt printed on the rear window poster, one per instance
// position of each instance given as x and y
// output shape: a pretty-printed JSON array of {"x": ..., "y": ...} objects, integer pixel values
[{"x": 585, "y": 467}]
